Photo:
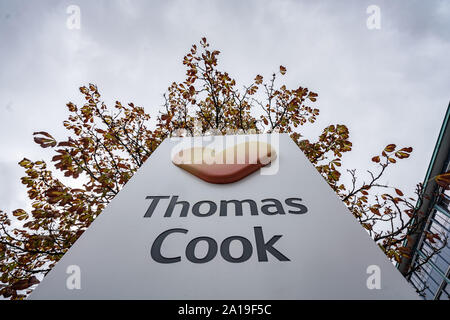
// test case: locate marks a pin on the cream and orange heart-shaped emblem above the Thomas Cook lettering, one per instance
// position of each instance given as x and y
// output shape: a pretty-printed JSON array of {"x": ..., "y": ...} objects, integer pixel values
[{"x": 227, "y": 166}]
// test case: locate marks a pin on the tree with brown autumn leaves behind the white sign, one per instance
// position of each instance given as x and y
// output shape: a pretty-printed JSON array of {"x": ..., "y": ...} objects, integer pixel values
[{"x": 107, "y": 145}]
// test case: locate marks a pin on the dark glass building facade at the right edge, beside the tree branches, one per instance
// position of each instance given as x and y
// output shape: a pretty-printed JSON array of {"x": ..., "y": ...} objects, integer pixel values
[{"x": 431, "y": 278}]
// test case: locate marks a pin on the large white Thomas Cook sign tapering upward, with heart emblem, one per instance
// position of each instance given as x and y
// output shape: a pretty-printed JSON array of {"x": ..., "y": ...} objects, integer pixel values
[{"x": 235, "y": 217}]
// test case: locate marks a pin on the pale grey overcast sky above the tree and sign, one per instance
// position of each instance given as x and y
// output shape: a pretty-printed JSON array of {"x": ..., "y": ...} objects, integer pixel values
[{"x": 388, "y": 85}]
